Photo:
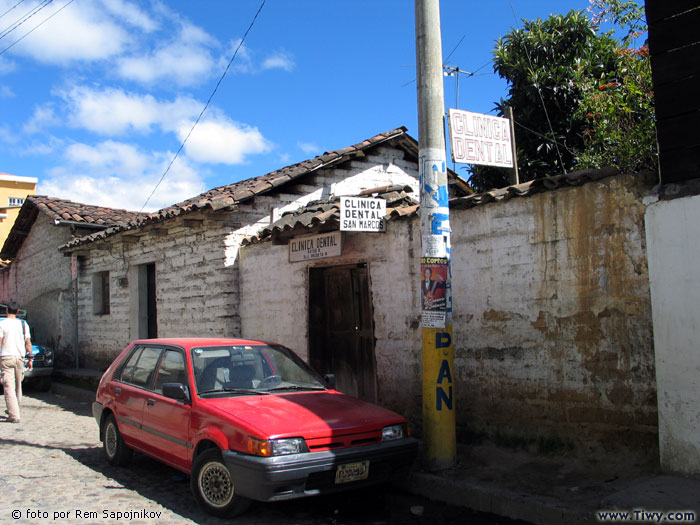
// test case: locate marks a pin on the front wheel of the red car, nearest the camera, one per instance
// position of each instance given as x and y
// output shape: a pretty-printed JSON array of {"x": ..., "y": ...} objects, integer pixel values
[{"x": 214, "y": 487}]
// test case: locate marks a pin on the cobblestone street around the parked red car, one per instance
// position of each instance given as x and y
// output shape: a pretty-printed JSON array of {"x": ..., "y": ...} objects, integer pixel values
[{"x": 54, "y": 471}]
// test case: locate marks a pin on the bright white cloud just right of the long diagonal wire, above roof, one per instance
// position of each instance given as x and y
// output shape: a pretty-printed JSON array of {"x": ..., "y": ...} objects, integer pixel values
[{"x": 223, "y": 141}]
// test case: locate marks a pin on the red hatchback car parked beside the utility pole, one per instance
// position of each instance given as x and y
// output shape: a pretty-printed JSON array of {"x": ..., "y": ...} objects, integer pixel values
[{"x": 247, "y": 420}]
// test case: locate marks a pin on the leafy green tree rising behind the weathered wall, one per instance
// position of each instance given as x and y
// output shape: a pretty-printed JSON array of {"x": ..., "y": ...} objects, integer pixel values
[{"x": 554, "y": 69}]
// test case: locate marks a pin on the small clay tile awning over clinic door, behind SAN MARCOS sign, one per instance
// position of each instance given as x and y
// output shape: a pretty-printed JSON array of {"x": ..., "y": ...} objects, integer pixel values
[{"x": 326, "y": 213}]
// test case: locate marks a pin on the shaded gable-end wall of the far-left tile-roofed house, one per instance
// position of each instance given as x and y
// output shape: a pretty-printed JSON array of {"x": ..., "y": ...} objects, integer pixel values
[{"x": 39, "y": 280}]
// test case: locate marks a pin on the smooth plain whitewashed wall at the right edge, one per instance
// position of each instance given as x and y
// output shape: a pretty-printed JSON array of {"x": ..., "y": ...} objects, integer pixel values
[{"x": 673, "y": 242}]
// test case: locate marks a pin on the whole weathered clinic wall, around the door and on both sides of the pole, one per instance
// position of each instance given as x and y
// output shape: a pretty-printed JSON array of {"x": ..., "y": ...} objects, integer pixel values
[{"x": 552, "y": 326}]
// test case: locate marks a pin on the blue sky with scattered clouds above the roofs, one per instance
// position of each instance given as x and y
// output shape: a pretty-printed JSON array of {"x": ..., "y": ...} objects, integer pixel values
[{"x": 96, "y": 101}]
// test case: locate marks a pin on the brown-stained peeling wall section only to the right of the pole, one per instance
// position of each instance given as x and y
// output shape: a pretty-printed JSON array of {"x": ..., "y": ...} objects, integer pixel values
[{"x": 553, "y": 338}]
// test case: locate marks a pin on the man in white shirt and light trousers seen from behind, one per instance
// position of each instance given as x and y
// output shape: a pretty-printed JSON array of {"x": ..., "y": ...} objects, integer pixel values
[{"x": 15, "y": 341}]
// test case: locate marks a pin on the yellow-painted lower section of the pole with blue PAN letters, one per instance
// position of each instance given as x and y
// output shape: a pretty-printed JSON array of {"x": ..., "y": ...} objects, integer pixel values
[{"x": 438, "y": 398}]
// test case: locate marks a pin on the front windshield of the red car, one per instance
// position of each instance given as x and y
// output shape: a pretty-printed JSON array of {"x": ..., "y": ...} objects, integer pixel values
[{"x": 250, "y": 370}]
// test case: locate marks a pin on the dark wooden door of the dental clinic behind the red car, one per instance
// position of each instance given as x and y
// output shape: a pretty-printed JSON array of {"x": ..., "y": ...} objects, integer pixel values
[{"x": 341, "y": 331}]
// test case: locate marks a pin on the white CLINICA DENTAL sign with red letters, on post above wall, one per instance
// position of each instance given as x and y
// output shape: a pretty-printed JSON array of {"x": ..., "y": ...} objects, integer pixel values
[{"x": 476, "y": 138}]
